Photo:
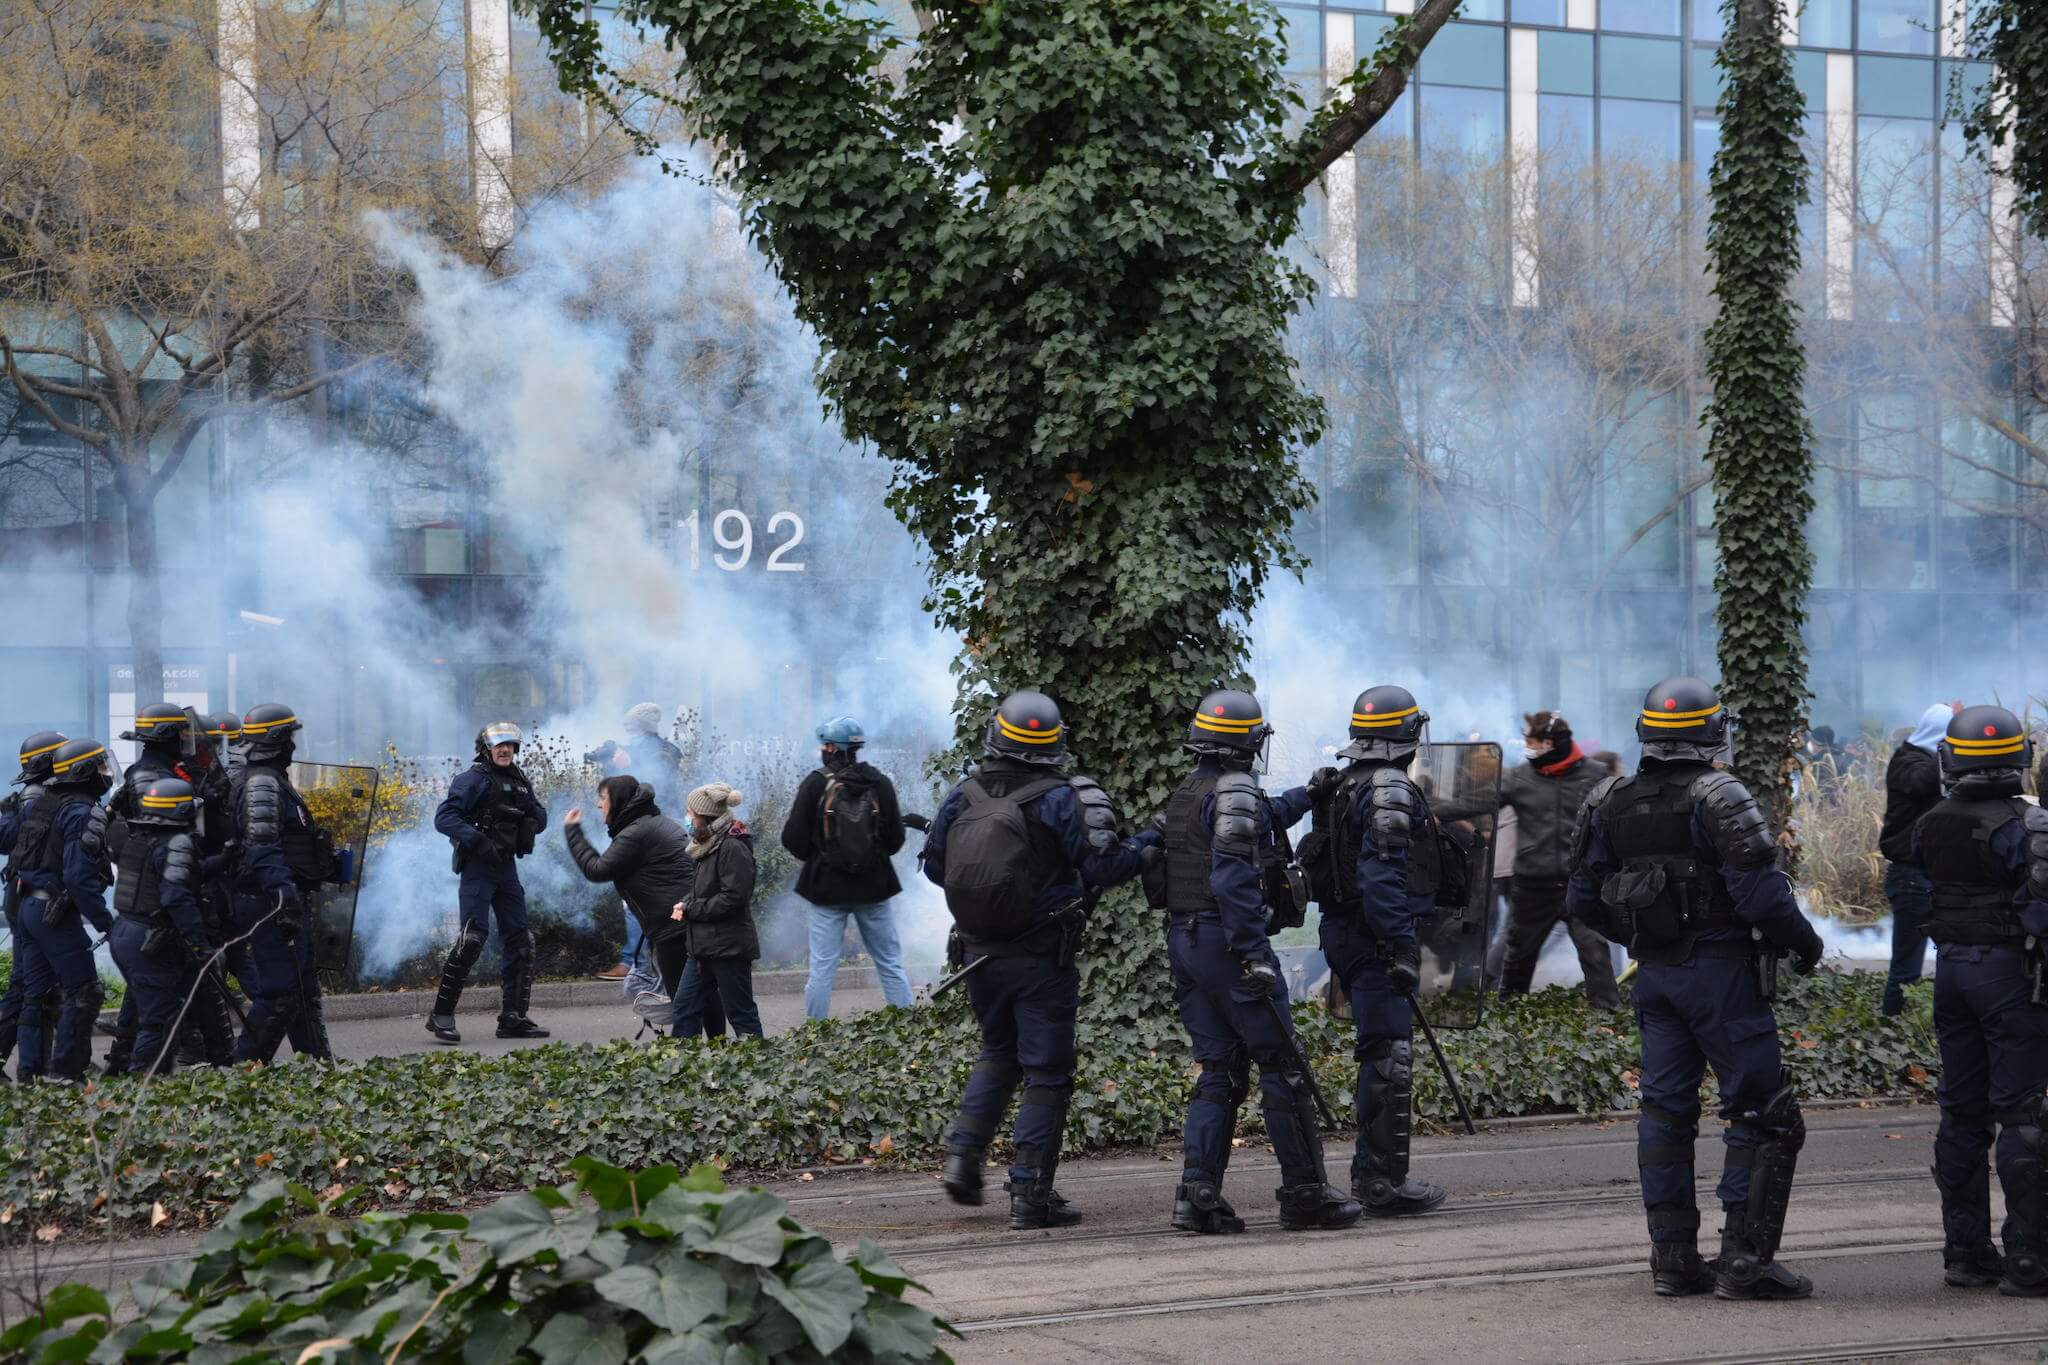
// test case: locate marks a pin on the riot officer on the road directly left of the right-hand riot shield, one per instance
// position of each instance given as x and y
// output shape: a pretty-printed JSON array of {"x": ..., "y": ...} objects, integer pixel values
[{"x": 1379, "y": 873}]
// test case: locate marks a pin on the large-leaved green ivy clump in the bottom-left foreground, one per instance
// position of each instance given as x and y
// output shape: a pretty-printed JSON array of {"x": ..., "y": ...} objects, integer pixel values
[{"x": 615, "y": 1266}]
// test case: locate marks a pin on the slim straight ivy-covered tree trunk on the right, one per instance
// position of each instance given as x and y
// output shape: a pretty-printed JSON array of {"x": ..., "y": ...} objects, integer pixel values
[{"x": 1760, "y": 443}]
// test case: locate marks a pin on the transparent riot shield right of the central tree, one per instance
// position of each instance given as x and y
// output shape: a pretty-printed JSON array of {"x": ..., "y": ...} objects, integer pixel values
[{"x": 1463, "y": 785}]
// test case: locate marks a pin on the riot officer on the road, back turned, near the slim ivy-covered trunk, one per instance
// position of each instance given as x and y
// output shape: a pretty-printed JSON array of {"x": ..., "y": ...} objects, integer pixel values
[{"x": 1678, "y": 863}]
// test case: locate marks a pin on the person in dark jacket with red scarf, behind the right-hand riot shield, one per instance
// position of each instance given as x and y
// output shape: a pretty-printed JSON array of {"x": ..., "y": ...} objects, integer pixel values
[{"x": 1545, "y": 793}]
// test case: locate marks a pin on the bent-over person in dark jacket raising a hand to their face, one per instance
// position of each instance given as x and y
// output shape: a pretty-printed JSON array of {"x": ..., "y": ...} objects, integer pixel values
[{"x": 648, "y": 858}]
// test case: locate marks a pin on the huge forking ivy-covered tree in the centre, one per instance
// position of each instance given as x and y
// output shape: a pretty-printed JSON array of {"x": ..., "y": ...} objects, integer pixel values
[{"x": 1048, "y": 271}]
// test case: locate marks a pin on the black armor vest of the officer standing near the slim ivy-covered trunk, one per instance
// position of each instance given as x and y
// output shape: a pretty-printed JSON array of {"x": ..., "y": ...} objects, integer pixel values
[{"x": 1664, "y": 897}]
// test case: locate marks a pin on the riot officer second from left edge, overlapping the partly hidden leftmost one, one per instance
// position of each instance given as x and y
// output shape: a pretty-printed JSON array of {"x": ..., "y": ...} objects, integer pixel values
[{"x": 62, "y": 883}]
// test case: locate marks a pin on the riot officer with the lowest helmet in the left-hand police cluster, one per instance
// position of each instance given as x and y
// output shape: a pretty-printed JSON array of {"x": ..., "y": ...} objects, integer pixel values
[{"x": 159, "y": 934}]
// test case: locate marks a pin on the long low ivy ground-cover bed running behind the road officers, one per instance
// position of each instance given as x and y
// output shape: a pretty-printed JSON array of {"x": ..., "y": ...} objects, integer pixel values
[{"x": 431, "y": 1131}]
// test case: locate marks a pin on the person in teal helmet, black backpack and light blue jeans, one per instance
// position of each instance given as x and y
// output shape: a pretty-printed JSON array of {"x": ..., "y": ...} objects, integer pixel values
[{"x": 845, "y": 826}]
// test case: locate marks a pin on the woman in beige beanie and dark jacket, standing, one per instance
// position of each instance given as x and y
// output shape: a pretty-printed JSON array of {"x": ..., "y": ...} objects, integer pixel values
[{"x": 720, "y": 914}]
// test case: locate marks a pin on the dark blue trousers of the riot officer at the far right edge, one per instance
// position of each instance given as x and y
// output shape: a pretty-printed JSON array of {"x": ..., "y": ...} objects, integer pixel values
[{"x": 1994, "y": 1059}]
